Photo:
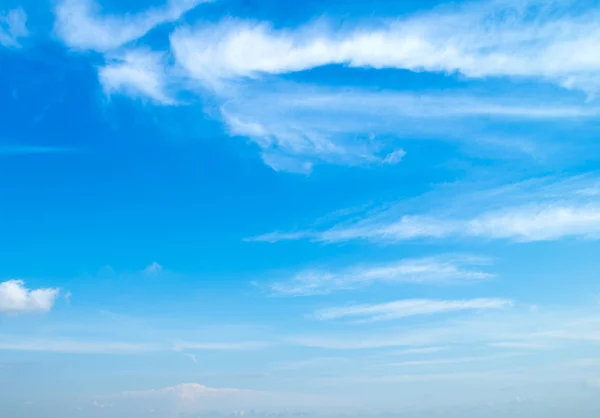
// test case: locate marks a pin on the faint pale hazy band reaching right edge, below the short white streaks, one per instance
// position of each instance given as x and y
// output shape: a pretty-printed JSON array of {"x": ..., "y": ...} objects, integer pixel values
[{"x": 520, "y": 328}]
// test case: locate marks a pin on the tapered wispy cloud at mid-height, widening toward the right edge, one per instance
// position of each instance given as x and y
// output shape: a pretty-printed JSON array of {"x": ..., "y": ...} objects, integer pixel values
[{"x": 536, "y": 210}]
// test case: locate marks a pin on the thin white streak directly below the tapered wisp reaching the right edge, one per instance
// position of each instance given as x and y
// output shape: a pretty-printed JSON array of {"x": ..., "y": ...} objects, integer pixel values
[{"x": 419, "y": 270}]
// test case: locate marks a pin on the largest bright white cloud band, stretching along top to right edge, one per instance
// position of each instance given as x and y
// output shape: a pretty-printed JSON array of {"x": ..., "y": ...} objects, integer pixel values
[{"x": 544, "y": 40}]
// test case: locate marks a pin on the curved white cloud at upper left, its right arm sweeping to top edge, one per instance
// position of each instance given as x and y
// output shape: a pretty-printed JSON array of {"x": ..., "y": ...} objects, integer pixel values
[{"x": 81, "y": 24}]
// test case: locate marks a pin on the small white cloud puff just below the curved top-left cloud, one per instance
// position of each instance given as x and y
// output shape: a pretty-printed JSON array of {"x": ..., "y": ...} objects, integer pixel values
[{"x": 139, "y": 73}]
